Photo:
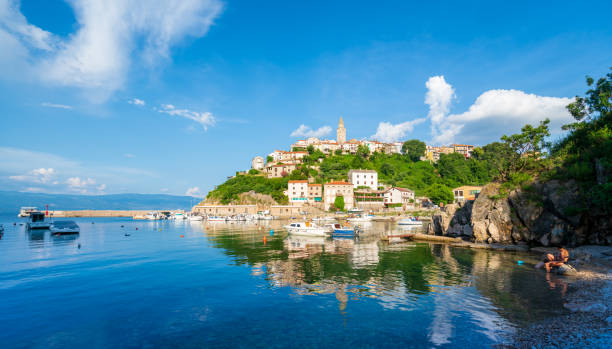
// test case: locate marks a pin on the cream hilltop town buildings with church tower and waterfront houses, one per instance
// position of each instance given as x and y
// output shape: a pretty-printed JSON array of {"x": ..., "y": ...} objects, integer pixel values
[{"x": 359, "y": 189}]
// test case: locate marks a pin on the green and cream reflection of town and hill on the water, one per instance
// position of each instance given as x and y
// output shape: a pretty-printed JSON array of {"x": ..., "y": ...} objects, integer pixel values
[{"x": 485, "y": 286}]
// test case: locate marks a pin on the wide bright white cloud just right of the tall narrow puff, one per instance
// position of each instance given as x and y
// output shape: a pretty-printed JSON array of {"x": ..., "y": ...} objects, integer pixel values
[{"x": 497, "y": 112}]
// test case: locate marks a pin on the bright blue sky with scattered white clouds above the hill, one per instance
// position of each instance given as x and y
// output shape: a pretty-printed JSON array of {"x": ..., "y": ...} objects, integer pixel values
[{"x": 105, "y": 96}]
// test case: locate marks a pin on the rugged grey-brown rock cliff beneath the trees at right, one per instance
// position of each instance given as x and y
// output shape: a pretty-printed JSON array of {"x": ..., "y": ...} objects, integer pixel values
[{"x": 545, "y": 213}]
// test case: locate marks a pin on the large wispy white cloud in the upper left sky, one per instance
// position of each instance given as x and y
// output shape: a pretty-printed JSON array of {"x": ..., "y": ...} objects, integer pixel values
[{"x": 110, "y": 35}]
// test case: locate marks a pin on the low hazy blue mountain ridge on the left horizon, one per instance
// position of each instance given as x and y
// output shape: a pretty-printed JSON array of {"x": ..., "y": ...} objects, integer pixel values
[{"x": 11, "y": 201}]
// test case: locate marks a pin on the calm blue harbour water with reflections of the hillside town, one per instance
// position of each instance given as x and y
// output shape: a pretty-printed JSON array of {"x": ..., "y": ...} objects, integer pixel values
[{"x": 125, "y": 283}]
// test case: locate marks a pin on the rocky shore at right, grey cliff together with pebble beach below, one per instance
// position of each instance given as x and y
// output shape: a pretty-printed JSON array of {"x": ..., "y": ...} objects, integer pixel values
[{"x": 534, "y": 219}]
